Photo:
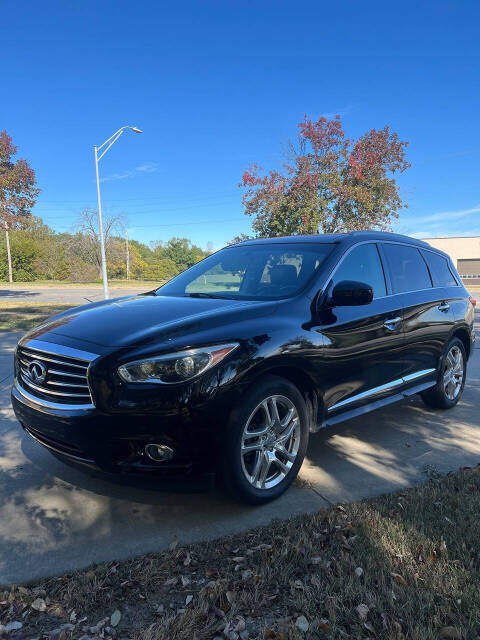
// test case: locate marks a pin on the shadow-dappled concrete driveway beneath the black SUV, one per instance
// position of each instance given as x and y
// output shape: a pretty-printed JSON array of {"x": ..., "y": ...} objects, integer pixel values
[{"x": 54, "y": 518}]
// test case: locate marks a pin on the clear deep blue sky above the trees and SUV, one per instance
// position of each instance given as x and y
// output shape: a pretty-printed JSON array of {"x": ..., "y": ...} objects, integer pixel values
[{"x": 216, "y": 85}]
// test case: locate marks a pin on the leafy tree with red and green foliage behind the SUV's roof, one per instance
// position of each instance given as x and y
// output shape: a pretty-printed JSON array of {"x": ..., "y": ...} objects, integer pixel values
[{"x": 329, "y": 184}]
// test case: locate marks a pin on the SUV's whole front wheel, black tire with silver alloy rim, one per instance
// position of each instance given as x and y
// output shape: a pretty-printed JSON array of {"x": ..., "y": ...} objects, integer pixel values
[{"x": 272, "y": 458}]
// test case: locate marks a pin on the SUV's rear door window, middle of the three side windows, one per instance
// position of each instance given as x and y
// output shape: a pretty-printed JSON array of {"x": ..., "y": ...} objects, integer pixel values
[{"x": 407, "y": 268}]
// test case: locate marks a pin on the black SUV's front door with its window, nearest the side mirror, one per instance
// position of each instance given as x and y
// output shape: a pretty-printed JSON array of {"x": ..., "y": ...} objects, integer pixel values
[{"x": 362, "y": 357}]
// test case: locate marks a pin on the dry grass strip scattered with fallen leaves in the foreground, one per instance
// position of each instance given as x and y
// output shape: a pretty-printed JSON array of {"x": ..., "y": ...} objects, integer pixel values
[{"x": 400, "y": 566}]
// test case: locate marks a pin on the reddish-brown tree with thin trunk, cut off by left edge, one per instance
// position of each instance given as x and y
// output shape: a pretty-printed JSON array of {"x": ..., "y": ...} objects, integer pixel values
[{"x": 18, "y": 192}]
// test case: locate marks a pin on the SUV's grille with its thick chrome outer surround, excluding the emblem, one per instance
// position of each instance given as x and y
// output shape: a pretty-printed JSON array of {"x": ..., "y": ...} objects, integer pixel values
[{"x": 62, "y": 386}]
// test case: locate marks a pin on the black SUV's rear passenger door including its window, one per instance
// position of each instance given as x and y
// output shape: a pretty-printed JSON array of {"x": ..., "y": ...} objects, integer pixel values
[{"x": 427, "y": 311}]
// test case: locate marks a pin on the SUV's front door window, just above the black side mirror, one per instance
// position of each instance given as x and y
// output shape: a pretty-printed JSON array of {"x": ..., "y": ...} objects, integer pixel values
[{"x": 362, "y": 264}]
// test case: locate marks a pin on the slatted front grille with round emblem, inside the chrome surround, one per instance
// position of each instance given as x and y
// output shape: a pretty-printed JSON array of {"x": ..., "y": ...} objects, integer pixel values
[{"x": 53, "y": 377}]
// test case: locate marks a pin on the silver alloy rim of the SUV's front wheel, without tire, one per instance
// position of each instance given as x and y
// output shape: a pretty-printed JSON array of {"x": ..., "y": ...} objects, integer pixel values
[{"x": 270, "y": 442}]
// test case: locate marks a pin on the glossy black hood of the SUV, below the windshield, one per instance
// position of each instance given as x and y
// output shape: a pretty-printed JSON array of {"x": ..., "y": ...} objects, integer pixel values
[{"x": 139, "y": 319}]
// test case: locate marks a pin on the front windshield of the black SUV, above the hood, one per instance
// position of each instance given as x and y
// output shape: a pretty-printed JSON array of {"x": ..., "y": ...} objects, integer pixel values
[{"x": 251, "y": 272}]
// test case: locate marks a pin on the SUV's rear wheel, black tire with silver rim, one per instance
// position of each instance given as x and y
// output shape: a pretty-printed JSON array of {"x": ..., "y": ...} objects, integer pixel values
[{"x": 454, "y": 361}]
